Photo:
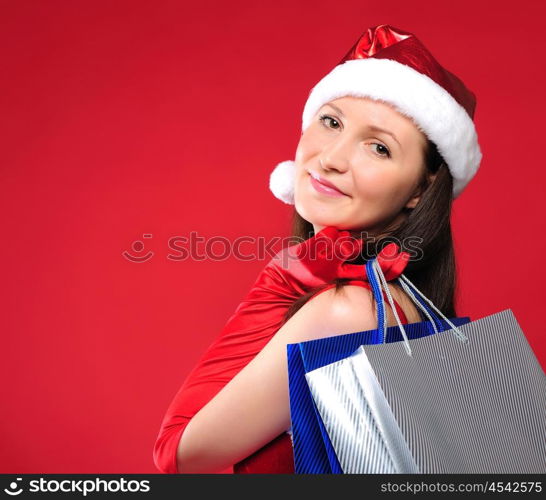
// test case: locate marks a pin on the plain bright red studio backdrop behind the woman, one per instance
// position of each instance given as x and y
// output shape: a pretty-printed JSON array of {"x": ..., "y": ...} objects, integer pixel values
[{"x": 130, "y": 117}]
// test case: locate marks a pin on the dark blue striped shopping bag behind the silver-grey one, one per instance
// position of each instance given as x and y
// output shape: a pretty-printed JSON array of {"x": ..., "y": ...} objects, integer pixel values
[{"x": 313, "y": 451}]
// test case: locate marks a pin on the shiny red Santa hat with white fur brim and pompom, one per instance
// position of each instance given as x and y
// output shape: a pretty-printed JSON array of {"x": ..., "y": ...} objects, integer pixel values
[{"x": 392, "y": 65}]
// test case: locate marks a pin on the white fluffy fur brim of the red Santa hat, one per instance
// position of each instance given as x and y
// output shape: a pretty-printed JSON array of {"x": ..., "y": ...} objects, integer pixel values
[{"x": 433, "y": 109}]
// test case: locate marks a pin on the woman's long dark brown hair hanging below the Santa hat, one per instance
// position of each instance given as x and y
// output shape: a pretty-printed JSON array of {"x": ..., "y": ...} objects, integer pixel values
[{"x": 433, "y": 269}]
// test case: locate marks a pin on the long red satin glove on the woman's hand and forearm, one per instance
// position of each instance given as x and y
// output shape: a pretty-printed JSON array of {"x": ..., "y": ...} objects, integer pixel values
[{"x": 288, "y": 276}]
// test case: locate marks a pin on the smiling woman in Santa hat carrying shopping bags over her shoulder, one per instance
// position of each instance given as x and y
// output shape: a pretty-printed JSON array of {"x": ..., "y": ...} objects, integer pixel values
[{"x": 387, "y": 142}]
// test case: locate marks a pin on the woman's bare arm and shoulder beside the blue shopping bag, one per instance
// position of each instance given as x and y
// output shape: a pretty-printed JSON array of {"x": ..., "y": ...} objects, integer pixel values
[{"x": 253, "y": 407}]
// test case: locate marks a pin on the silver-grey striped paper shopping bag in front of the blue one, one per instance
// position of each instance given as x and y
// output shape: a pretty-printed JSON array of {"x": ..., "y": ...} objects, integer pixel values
[{"x": 470, "y": 399}]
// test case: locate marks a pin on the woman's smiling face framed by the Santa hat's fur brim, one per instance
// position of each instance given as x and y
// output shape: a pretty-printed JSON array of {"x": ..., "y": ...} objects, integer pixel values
[{"x": 377, "y": 174}]
